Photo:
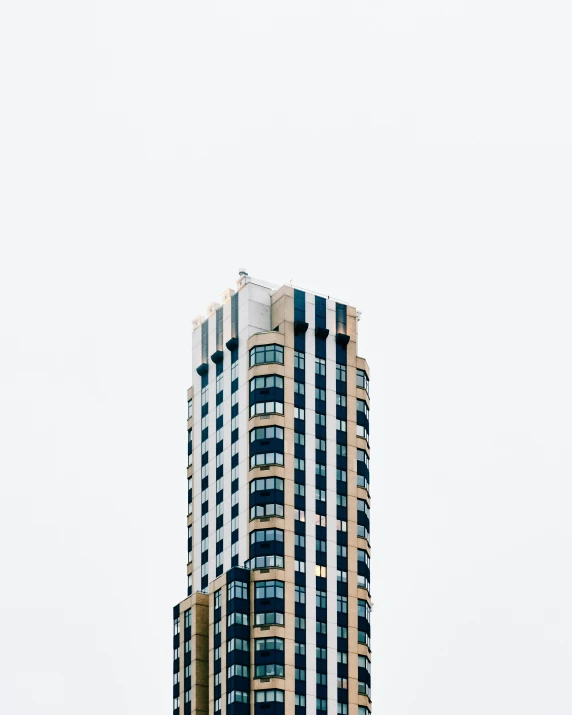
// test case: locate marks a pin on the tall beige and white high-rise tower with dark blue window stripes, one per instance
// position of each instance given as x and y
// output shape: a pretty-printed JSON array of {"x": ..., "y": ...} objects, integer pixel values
[{"x": 277, "y": 614}]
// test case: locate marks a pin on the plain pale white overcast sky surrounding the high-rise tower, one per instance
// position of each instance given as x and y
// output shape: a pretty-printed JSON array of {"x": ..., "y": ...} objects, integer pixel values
[{"x": 412, "y": 158}]
